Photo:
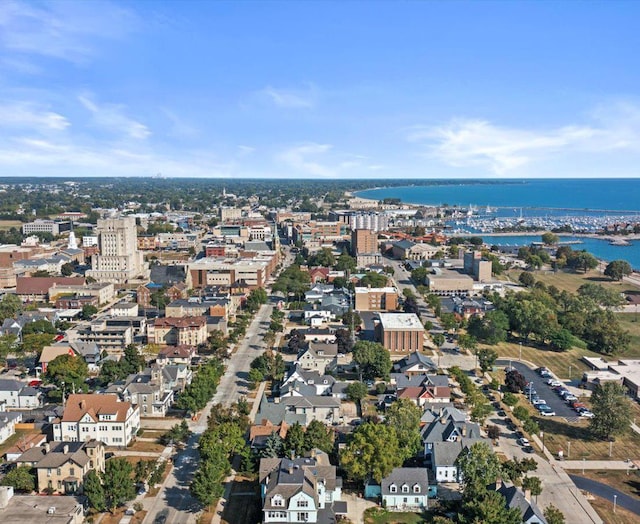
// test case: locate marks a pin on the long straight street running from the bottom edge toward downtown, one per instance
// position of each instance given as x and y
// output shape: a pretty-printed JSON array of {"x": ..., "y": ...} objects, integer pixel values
[{"x": 174, "y": 503}]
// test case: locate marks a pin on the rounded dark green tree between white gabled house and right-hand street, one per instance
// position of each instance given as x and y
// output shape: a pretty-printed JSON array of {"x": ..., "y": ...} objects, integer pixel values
[{"x": 478, "y": 467}]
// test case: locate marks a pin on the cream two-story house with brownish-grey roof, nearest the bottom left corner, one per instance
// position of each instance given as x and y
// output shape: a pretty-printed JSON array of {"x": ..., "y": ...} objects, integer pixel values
[{"x": 62, "y": 466}]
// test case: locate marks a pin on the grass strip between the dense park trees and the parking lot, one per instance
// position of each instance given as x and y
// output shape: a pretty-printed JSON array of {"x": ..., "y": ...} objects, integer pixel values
[{"x": 557, "y": 362}]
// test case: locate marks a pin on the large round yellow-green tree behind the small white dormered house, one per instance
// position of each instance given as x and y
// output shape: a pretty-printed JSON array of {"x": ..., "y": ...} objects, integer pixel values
[{"x": 372, "y": 451}]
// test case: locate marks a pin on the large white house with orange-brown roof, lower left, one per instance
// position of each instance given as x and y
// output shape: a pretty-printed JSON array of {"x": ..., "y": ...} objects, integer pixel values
[{"x": 99, "y": 417}]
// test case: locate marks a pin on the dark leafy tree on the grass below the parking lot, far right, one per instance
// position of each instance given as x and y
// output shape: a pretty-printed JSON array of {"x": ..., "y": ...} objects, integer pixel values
[{"x": 612, "y": 410}]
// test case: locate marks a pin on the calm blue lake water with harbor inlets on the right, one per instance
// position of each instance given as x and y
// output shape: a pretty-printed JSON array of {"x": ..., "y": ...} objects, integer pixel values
[{"x": 536, "y": 197}]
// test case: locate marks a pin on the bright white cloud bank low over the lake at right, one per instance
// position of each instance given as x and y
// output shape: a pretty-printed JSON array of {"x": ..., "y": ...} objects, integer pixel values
[{"x": 469, "y": 142}]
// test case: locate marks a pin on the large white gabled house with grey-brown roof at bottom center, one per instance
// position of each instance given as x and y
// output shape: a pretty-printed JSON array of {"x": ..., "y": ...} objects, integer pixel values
[{"x": 300, "y": 490}]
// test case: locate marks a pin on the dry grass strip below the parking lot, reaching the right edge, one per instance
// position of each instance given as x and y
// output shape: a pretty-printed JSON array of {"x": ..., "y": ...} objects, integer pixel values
[{"x": 557, "y": 435}]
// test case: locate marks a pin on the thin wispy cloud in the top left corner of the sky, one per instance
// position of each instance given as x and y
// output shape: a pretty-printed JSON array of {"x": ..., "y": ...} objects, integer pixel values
[{"x": 70, "y": 31}]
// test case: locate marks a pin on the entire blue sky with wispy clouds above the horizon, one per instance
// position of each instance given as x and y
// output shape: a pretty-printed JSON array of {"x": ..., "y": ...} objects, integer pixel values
[{"x": 320, "y": 89}]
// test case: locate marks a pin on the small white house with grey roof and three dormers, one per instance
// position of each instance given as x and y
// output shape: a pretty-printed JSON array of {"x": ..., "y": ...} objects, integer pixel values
[{"x": 405, "y": 489}]
